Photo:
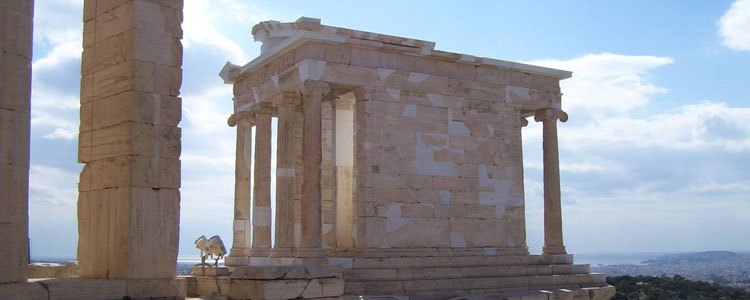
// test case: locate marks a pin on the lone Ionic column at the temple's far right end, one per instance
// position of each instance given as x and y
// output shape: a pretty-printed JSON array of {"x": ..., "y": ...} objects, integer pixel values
[{"x": 553, "y": 239}]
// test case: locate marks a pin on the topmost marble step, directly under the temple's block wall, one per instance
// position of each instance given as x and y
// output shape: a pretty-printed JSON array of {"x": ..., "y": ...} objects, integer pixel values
[{"x": 459, "y": 261}]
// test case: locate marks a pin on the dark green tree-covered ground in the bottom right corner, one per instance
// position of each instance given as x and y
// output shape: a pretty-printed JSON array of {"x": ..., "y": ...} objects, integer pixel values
[{"x": 667, "y": 288}]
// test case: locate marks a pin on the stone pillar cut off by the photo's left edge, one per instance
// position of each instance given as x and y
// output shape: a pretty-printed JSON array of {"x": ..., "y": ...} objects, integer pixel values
[{"x": 15, "y": 89}]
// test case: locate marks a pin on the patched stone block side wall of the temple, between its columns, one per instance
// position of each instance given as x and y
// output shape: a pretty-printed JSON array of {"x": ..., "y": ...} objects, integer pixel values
[{"x": 438, "y": 170}]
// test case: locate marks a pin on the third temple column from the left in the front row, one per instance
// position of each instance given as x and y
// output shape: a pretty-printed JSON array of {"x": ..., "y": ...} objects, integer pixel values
[{"x": 284, "y": 231}]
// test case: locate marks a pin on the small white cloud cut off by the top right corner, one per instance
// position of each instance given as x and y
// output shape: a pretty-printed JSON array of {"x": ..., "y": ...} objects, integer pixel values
[{"x": 734, "y": 26}]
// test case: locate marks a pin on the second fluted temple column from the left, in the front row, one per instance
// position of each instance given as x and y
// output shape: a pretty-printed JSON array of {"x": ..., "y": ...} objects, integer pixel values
[{"x": 261, "y": 220}]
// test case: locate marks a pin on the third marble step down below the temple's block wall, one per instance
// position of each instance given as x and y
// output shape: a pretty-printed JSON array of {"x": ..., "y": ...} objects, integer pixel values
[{"x": 467, "y": 285}]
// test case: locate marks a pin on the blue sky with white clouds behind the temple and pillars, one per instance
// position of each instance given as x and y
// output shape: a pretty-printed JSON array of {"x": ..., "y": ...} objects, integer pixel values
[{"x": 654, "y": 158}]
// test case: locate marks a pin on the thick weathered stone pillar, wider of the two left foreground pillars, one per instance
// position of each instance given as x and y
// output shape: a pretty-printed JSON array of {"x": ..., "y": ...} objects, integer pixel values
[{"x": 129, "y": 198}]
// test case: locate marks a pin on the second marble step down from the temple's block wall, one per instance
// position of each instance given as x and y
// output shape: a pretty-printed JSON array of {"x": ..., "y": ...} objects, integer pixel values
[{"x": 379, "y": 274}]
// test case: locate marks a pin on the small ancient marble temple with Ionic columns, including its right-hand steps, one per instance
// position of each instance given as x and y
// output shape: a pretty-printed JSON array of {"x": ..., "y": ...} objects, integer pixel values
[{"x": 397, "y": 161}]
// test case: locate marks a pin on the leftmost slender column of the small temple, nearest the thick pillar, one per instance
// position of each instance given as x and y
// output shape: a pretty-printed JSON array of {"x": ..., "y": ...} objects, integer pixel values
[{"x": 243, "y": 159}]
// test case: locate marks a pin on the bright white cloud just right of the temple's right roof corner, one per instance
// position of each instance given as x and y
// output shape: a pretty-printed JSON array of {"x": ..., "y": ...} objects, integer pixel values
[{"x": 607, "y": 83}]
